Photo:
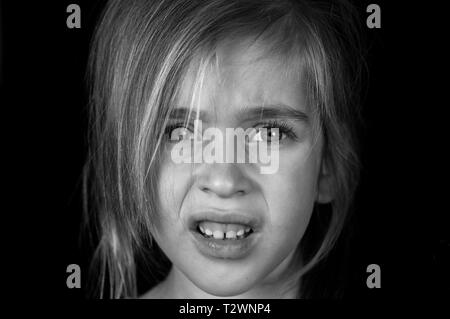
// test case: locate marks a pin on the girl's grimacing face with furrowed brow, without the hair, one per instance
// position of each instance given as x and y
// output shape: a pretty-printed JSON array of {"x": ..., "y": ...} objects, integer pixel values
[{"x": 226, "y": 199}]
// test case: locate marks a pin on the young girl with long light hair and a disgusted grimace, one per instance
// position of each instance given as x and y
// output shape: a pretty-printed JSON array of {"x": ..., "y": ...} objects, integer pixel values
[{"x": 285, "y": 69}]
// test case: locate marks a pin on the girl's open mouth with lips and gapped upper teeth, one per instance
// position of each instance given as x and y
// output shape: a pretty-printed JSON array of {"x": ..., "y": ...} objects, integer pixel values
[{"x": 223, "y": 235}]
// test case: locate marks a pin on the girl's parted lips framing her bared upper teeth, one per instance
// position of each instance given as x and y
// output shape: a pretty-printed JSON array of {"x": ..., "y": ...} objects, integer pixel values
[{"x": 220, "y": 248}]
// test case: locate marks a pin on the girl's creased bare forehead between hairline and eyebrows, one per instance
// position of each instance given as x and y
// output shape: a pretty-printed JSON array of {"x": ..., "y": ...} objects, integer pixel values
[{"x": 241, "y": 74}]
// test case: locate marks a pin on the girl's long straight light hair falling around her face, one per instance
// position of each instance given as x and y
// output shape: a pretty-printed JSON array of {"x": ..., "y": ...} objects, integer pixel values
[{"x": 140, "y": 52}]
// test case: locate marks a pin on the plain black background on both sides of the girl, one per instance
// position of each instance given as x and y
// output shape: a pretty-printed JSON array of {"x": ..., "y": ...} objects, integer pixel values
[{"x": 402, "y": 220}]
